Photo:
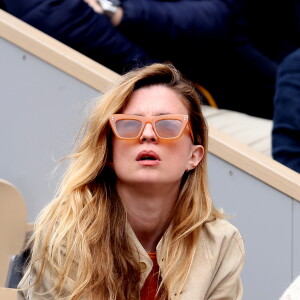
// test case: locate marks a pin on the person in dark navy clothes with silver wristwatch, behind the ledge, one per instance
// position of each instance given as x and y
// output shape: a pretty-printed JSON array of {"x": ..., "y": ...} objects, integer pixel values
[{"x": 202, "y": 38}]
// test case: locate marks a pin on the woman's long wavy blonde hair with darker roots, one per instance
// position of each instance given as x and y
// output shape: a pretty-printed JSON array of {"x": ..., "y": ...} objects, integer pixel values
[{"x": 84, "y": 227}]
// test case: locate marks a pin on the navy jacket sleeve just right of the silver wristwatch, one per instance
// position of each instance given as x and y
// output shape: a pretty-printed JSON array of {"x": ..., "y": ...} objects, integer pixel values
[{"x": 199, "y": 20}]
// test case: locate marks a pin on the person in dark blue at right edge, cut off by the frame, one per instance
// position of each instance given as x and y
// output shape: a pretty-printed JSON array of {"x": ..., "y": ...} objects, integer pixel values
[{"x": 286, "y": 125}]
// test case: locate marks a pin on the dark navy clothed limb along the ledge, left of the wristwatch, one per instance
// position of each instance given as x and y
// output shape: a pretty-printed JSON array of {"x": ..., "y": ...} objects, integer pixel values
[{"x": 74, "y": 23}]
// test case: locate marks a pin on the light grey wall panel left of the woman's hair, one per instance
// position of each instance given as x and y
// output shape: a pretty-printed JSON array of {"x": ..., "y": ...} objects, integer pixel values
[{"x": 41, "y": 112}]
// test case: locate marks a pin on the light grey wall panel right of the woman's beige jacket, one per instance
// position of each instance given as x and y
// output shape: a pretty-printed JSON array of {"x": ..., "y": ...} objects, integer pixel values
[{"x": 269, "y": 223}]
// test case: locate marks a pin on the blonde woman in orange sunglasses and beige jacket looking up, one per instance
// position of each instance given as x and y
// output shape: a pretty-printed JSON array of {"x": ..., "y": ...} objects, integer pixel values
[{"x": 133, "y": 218}]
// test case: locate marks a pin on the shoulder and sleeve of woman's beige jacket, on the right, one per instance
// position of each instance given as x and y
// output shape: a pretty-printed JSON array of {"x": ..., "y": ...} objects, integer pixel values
[{"x": 219, "y": 259}]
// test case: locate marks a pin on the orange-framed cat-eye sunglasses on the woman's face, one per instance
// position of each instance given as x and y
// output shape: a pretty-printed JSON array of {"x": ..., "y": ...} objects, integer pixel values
[{"x": 167, "y": 127}]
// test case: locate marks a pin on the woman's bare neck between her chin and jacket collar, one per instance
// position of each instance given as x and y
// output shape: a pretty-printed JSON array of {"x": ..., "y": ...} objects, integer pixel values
[{"x": 149, "y": 211}]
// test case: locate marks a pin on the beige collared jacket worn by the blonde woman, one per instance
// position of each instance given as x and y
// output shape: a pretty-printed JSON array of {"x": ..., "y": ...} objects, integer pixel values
[{"x": 214, "y": 274}]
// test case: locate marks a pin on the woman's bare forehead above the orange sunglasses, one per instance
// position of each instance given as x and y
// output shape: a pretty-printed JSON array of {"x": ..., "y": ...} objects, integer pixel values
[{"x": 155, "y": 100}]
